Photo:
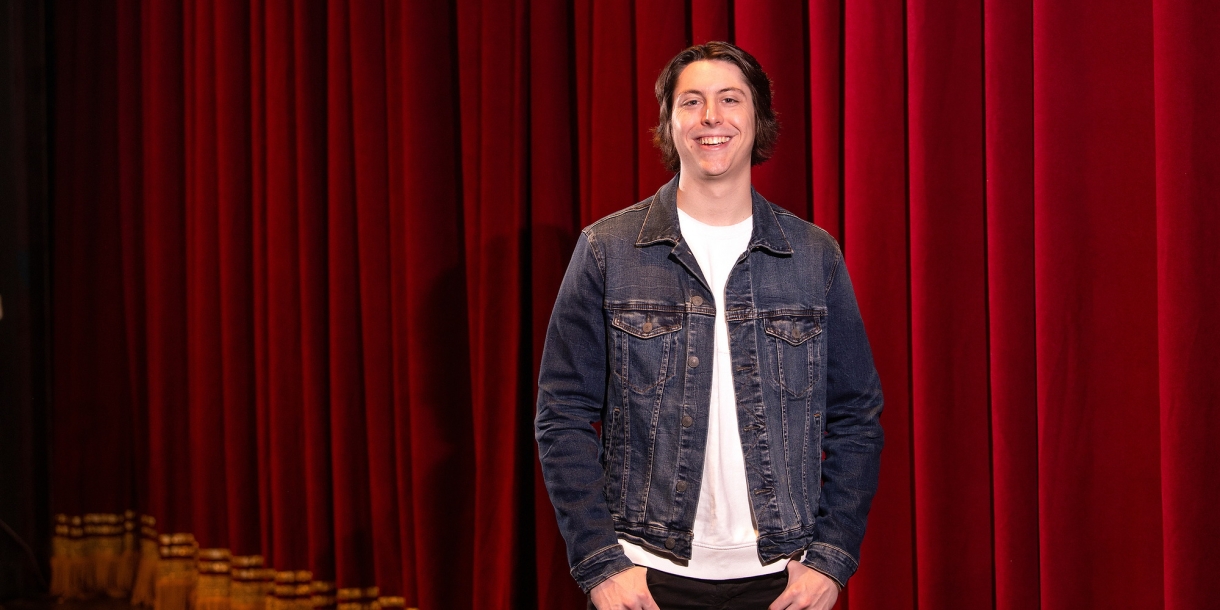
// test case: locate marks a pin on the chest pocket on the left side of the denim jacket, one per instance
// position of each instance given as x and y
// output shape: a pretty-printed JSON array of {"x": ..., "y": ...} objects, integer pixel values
[{"x": 646, "y": 347}]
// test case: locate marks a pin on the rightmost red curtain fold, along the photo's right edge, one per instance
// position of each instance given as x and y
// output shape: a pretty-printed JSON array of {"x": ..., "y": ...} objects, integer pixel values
[{"x": 1186, "y": 60}]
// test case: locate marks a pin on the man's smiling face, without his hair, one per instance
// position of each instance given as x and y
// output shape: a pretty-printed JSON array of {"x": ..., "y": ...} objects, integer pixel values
[{"x": 713, "y": 121}]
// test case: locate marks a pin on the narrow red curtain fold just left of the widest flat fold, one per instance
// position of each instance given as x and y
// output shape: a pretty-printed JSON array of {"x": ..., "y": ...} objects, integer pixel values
[{"x": 1008, "y": 77}]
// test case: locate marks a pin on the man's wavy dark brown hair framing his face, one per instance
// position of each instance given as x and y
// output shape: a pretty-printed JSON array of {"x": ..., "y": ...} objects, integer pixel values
[{"x": 767, "y": 126}]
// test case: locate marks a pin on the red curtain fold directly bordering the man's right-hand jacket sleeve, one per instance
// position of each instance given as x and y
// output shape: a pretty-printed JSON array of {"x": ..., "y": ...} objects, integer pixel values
[{"x": 875, "y": 243}]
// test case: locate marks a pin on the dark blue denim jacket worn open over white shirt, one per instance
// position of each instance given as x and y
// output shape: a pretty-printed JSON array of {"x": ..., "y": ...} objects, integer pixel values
[{"x": 630, "y": 346}]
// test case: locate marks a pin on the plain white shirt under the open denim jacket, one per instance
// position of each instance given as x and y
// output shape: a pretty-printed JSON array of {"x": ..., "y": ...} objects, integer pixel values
[{"x": 725, "y": 544}]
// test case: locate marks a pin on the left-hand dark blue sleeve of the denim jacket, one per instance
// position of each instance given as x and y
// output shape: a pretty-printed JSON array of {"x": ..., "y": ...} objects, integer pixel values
[{"x": 572, "y": 393}]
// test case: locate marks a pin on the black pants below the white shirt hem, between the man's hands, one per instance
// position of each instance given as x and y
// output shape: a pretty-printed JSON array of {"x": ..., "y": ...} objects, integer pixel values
[{"x": 681, "y": 594}]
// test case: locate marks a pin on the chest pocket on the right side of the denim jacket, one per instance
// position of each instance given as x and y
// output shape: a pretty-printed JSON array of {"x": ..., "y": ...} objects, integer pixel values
[{"x": 795, "y": 348}]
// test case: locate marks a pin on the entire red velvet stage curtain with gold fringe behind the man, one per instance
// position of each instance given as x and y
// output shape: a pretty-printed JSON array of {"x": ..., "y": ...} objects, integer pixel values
[{"x": 304, "y": 256}]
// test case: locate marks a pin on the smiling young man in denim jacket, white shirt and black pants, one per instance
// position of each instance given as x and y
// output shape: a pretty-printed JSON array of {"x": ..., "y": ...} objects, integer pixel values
[{"x": 717, "y": 340}]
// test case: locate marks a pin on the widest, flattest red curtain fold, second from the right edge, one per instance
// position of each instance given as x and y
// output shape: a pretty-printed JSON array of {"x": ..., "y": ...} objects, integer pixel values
[{"x": 1096, "y": 319}]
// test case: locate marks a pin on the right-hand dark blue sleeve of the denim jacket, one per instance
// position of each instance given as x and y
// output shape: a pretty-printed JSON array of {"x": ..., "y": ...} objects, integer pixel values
[{"x": 853, "y": 435}]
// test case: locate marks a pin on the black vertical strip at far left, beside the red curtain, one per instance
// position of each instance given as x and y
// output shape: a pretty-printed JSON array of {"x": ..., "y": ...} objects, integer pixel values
[{"x": 25, "y": 496}]
